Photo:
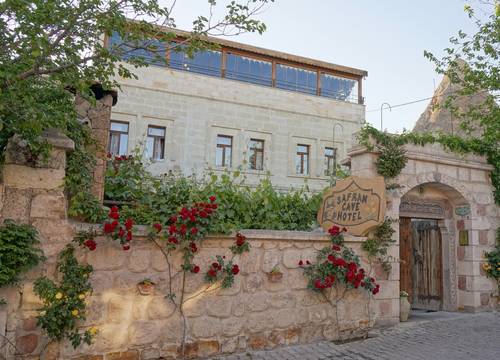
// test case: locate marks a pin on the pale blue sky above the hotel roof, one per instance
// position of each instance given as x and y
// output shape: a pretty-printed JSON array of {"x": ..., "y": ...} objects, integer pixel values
[{"x": 385, "y": 37}]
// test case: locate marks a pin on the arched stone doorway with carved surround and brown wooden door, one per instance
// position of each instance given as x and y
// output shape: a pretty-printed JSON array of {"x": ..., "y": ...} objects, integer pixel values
[{"x": 428, "y": 241}]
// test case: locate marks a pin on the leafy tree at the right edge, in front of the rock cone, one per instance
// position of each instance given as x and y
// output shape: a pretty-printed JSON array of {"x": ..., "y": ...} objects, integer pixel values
[{"x": 472, "y": 62}]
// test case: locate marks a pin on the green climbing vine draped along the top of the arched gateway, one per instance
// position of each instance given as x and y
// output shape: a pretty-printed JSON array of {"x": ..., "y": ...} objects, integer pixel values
[{"x": 391, "y": 165}]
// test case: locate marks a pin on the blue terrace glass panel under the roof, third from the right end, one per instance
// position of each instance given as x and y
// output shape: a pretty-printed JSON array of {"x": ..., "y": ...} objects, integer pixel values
[{"x": 249, "y": 70}]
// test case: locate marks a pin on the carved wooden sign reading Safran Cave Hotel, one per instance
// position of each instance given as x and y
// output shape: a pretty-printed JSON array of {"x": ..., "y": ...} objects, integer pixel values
[{"x": 355, "y": 203}]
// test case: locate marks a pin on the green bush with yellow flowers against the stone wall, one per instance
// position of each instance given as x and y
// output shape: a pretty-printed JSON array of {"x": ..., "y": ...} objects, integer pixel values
[{"x": 64, "y": 302}]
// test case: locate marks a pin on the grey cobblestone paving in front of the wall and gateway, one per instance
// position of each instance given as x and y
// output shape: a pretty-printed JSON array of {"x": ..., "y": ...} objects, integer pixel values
[{"x": 446, "y": 336}]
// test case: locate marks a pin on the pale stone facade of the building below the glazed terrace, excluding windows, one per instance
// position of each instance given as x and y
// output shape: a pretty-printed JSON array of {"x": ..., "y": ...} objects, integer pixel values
[{"x": 195, "y": 108}]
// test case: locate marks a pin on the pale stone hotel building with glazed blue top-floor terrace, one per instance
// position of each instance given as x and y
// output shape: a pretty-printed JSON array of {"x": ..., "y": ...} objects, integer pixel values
[{"x": 240, "y": 107}]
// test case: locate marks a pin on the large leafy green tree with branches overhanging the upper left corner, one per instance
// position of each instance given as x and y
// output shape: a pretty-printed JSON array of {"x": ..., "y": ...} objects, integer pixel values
[{"x": 49, "y": 46}]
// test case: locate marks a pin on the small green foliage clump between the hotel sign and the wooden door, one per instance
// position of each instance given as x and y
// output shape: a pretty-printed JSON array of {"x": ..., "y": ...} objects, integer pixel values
[{"x": 378, "y": 244}]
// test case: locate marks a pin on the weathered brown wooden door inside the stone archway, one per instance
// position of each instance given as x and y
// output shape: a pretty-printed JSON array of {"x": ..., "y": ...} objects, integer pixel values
[{"x": 421, "y": 272}]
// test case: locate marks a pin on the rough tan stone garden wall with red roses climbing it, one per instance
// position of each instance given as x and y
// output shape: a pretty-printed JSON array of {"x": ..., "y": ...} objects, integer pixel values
[{"x": 255, "y": 313}]
